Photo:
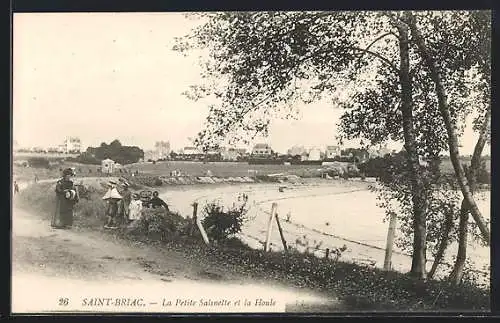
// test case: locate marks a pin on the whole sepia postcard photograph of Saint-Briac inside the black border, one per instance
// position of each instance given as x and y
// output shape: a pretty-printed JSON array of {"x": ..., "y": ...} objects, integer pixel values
[{"x": 251, "y": 162}]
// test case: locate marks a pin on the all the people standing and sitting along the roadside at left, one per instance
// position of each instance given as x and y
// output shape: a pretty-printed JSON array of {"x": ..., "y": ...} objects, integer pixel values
[{"x": 122, "y": 206}]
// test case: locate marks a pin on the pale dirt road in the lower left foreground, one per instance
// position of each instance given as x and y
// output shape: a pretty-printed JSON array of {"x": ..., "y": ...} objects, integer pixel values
[{"x": 75, "y": 270}]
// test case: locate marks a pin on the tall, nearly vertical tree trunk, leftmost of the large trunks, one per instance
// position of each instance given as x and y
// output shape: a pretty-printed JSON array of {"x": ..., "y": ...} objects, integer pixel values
[{"x": 418, "y": 197}]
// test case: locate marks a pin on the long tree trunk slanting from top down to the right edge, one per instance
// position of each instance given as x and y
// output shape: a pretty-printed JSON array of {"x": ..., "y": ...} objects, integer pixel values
[{"x": 450, "y": 128}]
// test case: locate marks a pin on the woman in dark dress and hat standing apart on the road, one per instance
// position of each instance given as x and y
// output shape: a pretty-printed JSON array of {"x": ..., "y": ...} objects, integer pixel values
[{"x": 67, "y": 197}]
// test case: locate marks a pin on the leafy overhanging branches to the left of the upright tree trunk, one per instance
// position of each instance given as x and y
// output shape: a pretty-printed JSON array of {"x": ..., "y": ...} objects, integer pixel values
[{"x": 261, "y": 57}]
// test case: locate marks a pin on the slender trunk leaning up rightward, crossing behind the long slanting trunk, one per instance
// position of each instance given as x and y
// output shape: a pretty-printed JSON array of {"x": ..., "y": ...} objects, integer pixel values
[{"x": 458, "y": 268}]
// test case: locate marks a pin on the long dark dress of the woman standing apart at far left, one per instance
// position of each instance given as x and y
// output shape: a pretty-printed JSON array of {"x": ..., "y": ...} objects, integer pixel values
[{"x": 63, "y": 216}]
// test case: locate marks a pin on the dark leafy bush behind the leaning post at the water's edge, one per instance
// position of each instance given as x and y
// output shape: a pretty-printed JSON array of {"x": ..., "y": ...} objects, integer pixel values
[{"x": 220, "y": 224}]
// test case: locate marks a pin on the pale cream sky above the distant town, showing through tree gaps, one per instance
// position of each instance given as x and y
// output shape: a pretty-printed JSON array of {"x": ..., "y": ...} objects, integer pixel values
[{"x": 106, "y": 76}]
